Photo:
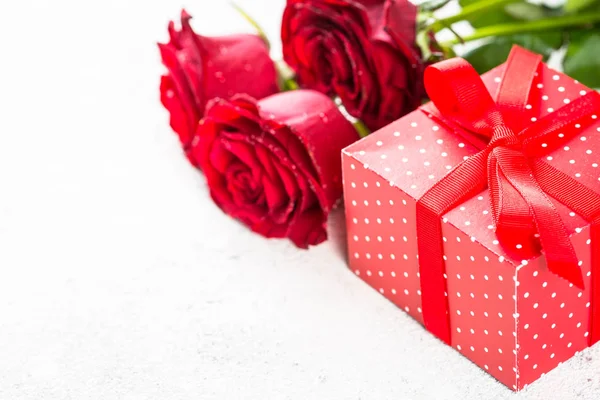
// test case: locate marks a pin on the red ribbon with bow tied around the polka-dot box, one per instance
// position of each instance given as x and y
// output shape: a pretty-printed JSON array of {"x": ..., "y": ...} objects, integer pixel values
[{"x": 509, "y": 164}]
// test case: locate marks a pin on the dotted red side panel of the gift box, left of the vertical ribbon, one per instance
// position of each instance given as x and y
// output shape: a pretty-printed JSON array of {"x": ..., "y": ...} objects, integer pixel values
[{"x": 384, "y": 263}]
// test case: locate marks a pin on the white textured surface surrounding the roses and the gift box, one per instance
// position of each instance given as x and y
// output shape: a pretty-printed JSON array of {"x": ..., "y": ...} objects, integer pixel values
[{"x": 120, "y": 278}]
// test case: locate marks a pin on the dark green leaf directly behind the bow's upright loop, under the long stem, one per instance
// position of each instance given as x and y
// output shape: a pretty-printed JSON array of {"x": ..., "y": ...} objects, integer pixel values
[{"x": 494, "y": 53}]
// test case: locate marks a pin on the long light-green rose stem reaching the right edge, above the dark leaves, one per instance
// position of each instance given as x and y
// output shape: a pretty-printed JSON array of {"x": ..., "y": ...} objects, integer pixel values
[{"x": 533, "y": 26}]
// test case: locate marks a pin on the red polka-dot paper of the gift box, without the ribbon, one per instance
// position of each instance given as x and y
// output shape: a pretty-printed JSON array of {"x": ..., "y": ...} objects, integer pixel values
[{"x": 511, "y": 317}]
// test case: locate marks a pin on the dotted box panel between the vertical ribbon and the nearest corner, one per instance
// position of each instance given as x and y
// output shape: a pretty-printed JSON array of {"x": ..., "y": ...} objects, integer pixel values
[{"x": 481, "y": 303}]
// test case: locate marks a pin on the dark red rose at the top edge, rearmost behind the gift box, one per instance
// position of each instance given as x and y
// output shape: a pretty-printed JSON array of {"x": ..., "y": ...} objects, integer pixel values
[{"x": 362, "y": 50}]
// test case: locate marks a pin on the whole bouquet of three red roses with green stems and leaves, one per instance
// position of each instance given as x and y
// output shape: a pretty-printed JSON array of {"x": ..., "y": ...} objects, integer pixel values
[{"x": 269, "y": 142}]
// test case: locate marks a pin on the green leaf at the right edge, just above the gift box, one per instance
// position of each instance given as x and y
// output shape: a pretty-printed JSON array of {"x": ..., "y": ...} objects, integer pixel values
[{"x": 582, "y": 61}]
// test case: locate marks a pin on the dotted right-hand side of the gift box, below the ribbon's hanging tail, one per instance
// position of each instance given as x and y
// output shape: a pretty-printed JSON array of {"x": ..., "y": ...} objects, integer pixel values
[{"x": 553, "y": 315}]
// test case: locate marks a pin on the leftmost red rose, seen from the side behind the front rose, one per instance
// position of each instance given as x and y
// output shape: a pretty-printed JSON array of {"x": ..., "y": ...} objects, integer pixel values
[{"x": 201, "y": 68}]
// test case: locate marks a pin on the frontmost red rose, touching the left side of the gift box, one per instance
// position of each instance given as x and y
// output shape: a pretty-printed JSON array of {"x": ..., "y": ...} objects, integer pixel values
[{"x": 275, "y": 164}]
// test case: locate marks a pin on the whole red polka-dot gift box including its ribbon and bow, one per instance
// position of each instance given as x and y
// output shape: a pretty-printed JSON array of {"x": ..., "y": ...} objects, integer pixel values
[{"x": 479, "y": 214}]
